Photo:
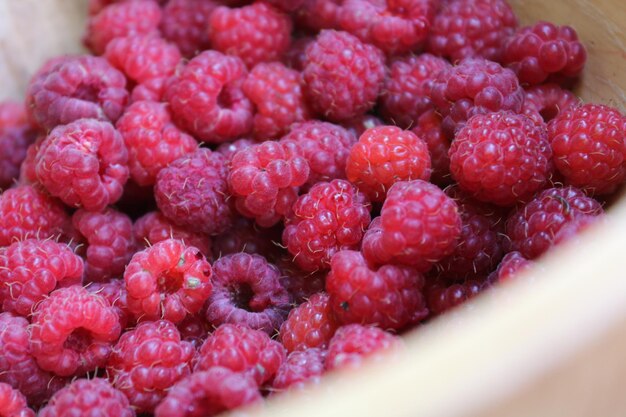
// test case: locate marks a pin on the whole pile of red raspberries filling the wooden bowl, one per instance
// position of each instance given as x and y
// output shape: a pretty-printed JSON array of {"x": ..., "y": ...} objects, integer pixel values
[{"x": 228, "y": 200}]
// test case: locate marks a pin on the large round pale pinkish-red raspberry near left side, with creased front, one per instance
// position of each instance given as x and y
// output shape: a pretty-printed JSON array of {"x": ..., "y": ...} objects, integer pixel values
[{"x": 84, "y": 163}]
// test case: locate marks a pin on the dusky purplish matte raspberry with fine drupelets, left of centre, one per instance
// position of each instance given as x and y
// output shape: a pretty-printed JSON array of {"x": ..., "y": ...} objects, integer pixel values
[{"x": 192, "y": 192}]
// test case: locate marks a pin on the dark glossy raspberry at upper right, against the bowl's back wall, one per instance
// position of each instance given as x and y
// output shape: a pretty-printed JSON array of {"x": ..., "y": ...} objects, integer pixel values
[{"x": 539, "y": 51}]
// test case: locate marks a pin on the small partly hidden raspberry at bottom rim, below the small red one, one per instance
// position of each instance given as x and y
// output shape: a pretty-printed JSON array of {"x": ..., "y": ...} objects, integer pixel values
[{"x": 300, "y": 370}]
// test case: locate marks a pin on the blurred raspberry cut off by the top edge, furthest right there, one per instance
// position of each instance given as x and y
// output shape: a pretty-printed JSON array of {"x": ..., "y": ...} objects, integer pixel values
[{"x": 472, "y": 28}]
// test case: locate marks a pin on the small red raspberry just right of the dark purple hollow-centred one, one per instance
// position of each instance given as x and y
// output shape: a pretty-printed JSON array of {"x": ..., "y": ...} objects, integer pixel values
[{"x": 310, "y": 325}]
